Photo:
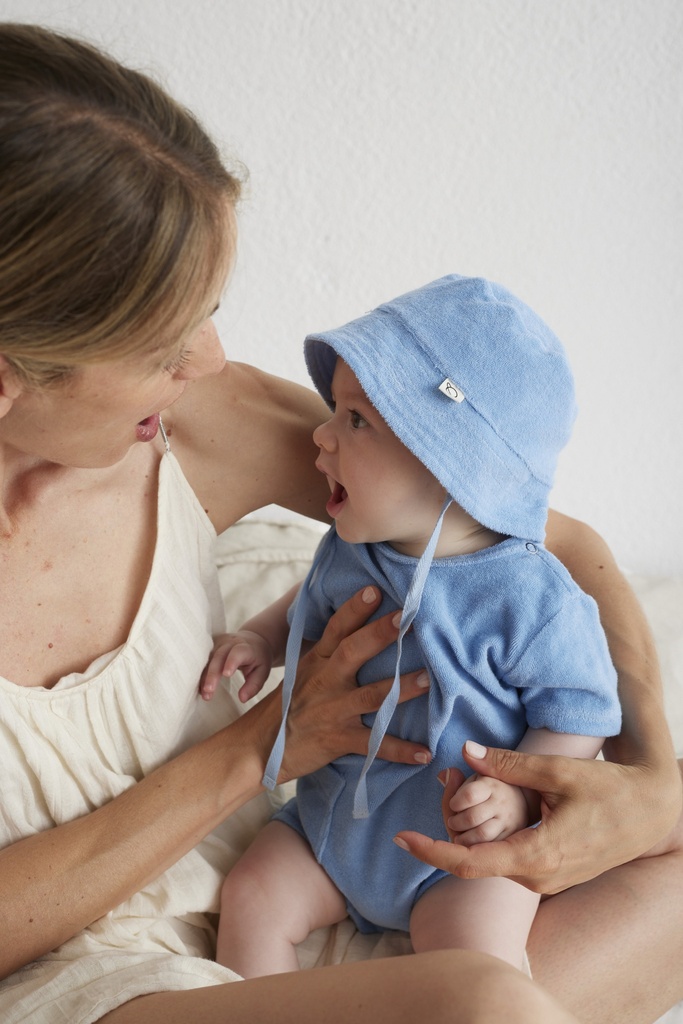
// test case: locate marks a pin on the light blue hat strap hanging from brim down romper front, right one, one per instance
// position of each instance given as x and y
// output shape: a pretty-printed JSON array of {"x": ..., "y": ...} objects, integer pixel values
[{"x": 389, "y": 706}]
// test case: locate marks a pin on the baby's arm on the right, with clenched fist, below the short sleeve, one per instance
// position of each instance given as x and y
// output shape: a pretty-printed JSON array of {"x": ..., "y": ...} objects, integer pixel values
[{"x": 487, "y": 809}]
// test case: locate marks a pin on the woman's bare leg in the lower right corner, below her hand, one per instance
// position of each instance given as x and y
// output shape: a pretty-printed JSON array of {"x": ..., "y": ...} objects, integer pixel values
[{"x": 612, "y": 950}]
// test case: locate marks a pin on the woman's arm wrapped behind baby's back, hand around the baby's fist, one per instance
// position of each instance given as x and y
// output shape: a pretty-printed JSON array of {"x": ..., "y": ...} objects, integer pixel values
[{"x": 626, "y": 804}]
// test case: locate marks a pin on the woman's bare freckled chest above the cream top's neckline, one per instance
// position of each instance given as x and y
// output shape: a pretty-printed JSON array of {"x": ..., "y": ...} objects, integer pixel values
[{"x": 74, "y": 573}]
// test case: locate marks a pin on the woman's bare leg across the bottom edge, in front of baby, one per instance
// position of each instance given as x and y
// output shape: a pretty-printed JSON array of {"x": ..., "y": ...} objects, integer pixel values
[{"x": 444, "y": 988}]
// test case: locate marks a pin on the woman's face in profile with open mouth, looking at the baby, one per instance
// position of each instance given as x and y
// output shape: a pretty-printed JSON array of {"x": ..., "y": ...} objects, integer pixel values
[{"x": 99, "y": 414}]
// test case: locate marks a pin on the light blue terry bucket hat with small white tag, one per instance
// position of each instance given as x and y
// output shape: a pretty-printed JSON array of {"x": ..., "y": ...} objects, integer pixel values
[{"x": 475, "y": 383}]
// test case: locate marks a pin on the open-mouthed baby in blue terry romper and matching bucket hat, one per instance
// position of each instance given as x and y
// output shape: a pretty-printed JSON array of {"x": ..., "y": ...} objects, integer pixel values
[{"x": 450, "y": 406}]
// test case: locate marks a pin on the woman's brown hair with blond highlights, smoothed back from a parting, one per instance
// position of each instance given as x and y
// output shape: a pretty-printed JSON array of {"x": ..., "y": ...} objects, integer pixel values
[{"x": 114, "y": 202}]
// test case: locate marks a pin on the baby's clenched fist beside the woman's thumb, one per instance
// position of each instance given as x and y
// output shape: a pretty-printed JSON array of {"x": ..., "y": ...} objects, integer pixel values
[{"x": 486, "y": 809}]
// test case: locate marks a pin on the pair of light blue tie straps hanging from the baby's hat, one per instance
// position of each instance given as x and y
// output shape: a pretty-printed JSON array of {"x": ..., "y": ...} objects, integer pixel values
[{"x": 389, "y": 706}]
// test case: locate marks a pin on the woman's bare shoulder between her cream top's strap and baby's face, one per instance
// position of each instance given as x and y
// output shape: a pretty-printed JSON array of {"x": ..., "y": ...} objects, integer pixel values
[{"x": 244, "y": 441}]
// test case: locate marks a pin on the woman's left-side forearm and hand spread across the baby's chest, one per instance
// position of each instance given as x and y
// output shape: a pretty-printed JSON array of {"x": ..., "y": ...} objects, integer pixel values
[{"x": 55, "y": 884}]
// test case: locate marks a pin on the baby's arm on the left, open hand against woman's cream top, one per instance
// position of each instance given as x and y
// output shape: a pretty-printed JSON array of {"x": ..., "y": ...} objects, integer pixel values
[{"x": 255, "y": 649}]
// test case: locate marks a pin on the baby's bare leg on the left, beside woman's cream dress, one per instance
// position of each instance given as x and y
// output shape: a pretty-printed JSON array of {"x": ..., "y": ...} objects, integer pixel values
[{"x": 274, "y": 898}]
